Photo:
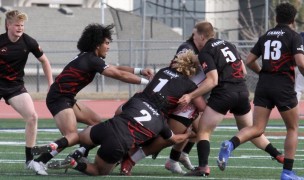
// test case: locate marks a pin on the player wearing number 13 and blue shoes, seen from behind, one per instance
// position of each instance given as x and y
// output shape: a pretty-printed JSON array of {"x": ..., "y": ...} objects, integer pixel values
[{"x": 281, "y": 49}]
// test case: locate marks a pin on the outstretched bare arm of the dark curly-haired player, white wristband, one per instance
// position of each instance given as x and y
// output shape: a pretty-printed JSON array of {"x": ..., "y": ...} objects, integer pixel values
[{"x": 125, "y": 76}]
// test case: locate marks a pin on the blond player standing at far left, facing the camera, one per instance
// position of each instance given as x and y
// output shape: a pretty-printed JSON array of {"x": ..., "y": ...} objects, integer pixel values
[{"x": 15, "y": 46}]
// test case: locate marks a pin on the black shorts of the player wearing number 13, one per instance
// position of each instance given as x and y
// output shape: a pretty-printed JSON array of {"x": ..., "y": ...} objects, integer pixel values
[{"x": 283, "y": 99}]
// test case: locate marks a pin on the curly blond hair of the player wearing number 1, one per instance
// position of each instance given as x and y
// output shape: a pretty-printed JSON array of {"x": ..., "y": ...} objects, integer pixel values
[{"x": 185, "y": 62}]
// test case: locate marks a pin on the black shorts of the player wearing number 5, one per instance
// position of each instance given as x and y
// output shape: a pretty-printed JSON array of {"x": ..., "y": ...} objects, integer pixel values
[{"x": 236, "y": 102}]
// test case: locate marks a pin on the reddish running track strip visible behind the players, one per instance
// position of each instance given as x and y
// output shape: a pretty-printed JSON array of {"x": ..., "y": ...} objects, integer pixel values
[{"x": 105, "y": 108}]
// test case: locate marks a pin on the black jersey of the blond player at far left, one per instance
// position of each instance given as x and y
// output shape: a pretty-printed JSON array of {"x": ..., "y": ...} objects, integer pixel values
[{"x": 13, "y": 57}]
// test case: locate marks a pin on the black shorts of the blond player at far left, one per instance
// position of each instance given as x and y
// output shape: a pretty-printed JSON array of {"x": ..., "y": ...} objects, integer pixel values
[{"x": 8, "y": 92}]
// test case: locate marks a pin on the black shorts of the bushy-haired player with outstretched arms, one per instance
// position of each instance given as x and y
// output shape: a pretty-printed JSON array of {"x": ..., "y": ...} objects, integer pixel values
[{"x": 55, "y": 105}]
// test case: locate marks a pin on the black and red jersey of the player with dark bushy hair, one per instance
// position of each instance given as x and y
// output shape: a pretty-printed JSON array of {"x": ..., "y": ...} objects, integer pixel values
[{"x": 77, "y": 74}]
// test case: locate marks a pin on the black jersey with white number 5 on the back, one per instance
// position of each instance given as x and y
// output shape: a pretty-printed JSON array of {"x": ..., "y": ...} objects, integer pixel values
[{"x": 223, "y": 56}]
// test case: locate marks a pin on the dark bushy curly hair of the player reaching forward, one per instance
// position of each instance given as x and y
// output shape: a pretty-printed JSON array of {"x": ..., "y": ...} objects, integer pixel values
[{"x": 93, "y": 35}]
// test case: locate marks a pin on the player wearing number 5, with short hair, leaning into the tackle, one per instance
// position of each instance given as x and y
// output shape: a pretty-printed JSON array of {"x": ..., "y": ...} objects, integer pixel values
[{"x": 225, "y": 79}]
